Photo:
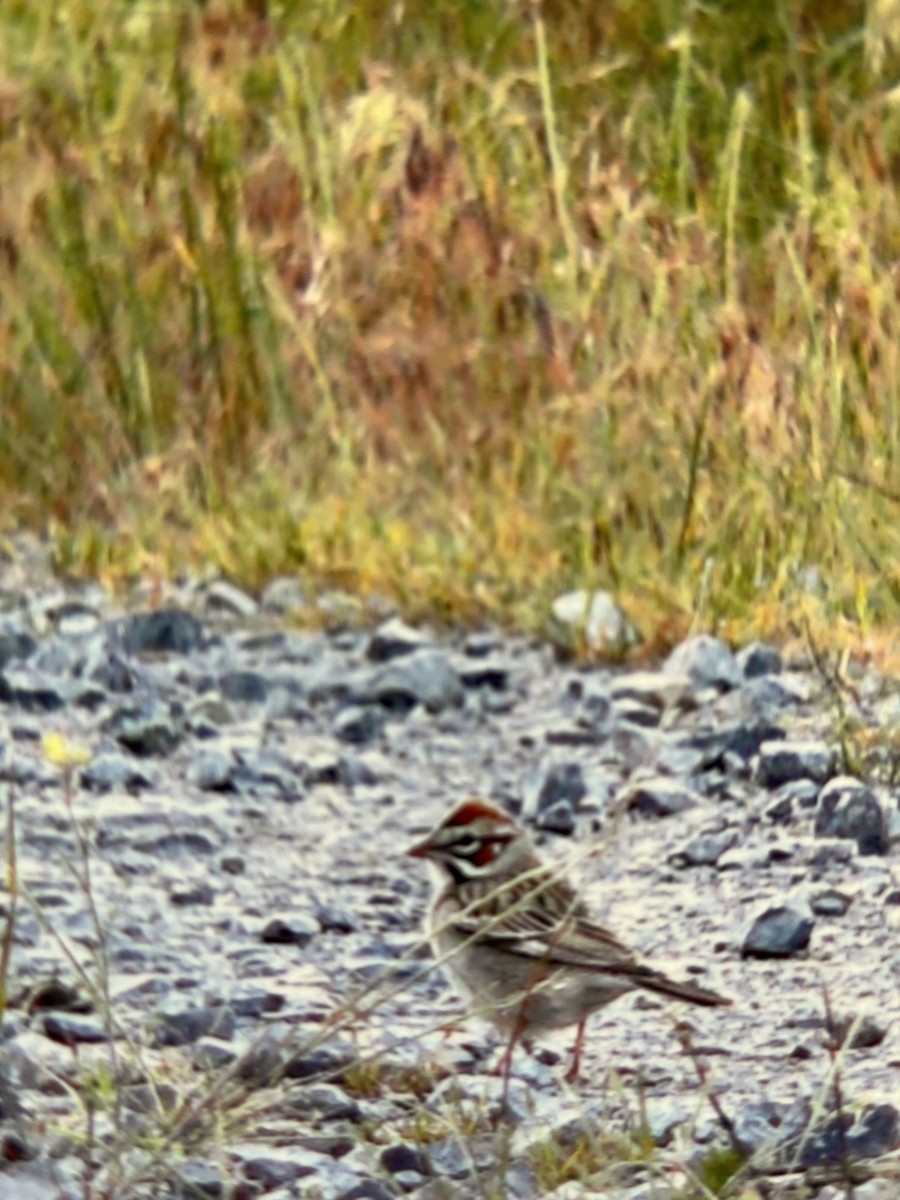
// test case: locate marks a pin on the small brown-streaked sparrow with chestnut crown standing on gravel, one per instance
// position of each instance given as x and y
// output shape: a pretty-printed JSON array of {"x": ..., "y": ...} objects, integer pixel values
[{"x": 518, "y": 938}]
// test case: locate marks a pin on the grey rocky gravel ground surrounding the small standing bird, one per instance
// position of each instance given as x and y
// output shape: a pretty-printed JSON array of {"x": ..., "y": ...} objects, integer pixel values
[{"x": 217, "y": 983}]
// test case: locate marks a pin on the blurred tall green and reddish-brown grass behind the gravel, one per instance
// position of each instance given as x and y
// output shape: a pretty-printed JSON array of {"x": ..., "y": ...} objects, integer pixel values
[{"x": 463, "y": 304}]
